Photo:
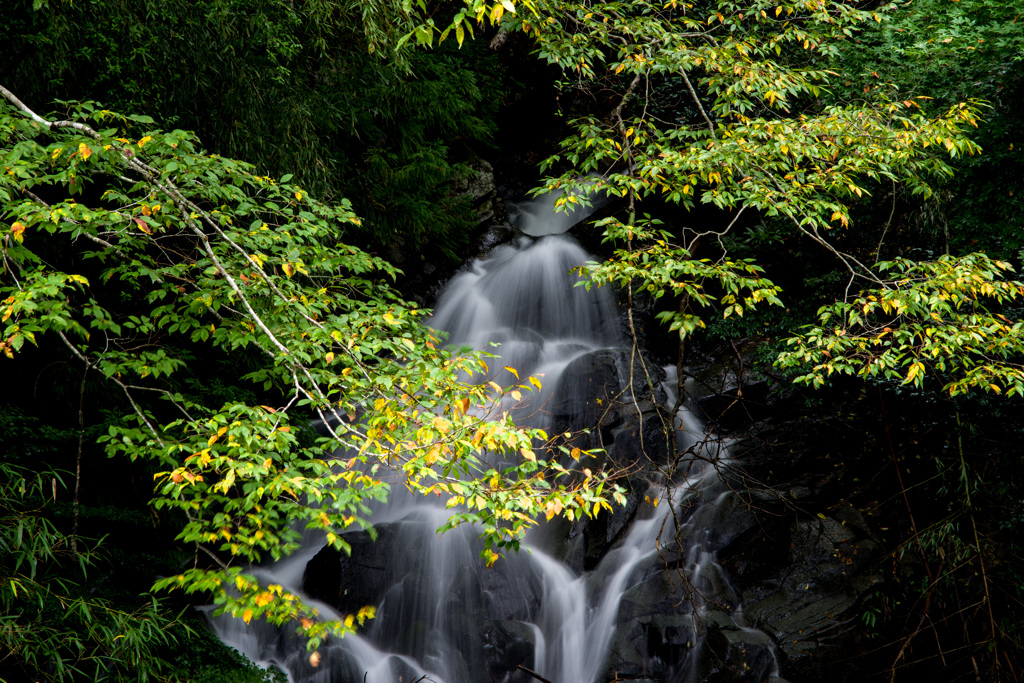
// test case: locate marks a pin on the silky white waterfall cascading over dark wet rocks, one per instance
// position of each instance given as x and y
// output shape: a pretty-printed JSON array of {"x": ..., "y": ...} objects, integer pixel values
[{"x": 443, "y": 616}]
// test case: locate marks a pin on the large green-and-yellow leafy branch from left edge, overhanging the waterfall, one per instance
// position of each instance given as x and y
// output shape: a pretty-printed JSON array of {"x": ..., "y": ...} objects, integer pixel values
[{"x": 131, "y": 252}]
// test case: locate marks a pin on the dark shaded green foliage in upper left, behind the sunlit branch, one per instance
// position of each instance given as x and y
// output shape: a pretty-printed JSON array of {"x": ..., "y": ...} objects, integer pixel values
[{"x": 290, "y": 88}]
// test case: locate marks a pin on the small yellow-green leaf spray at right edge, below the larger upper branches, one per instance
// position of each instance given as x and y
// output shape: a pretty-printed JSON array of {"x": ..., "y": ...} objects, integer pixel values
[{"x": 928, "y": 318}]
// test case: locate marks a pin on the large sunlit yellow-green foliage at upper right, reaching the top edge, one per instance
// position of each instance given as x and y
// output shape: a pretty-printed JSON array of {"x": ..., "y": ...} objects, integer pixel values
[{"x": 759, "y": 136}]
